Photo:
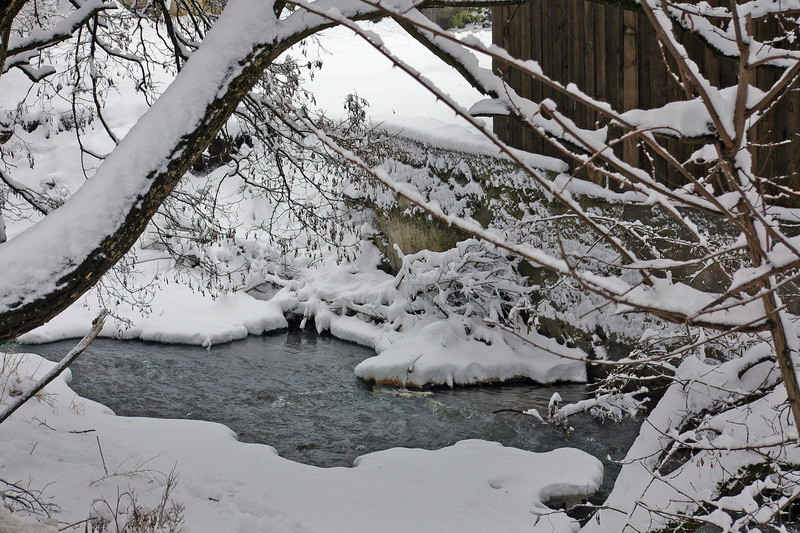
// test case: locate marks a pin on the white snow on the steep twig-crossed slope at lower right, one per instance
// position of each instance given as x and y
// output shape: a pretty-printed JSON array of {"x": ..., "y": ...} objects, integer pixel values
[{"x": 645, "y": 497}]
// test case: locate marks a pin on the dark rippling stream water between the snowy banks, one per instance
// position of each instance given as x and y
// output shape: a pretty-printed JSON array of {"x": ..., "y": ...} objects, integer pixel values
[{"x": 297, "y": 391}]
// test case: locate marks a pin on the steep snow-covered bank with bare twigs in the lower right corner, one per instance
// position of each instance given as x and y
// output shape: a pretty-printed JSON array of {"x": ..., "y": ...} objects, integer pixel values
[{"x": 722, "y": 450}]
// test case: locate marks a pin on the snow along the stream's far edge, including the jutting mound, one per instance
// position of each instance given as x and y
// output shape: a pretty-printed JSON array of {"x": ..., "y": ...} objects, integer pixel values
[{"x": 412, "y": 350}]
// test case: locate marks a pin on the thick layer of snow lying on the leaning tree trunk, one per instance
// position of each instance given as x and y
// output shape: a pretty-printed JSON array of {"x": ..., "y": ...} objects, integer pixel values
[{"x": 40, "y": 256}]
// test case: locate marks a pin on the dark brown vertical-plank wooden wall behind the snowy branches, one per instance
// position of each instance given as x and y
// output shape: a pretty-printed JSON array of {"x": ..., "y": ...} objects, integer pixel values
[{"x": 612, "y": 54}]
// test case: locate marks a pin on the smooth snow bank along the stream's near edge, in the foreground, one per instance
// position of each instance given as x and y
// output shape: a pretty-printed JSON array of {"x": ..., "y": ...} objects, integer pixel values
[{"x": 225, "y": 485}]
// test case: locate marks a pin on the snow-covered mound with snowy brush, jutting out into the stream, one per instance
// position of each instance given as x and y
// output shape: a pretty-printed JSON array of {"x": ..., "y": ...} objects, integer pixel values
[{"x": 422, "y": 350}]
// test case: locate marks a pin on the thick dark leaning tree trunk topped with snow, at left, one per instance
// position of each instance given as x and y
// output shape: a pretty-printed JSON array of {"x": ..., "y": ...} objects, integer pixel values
[{"x": 34, "y": 289}]
